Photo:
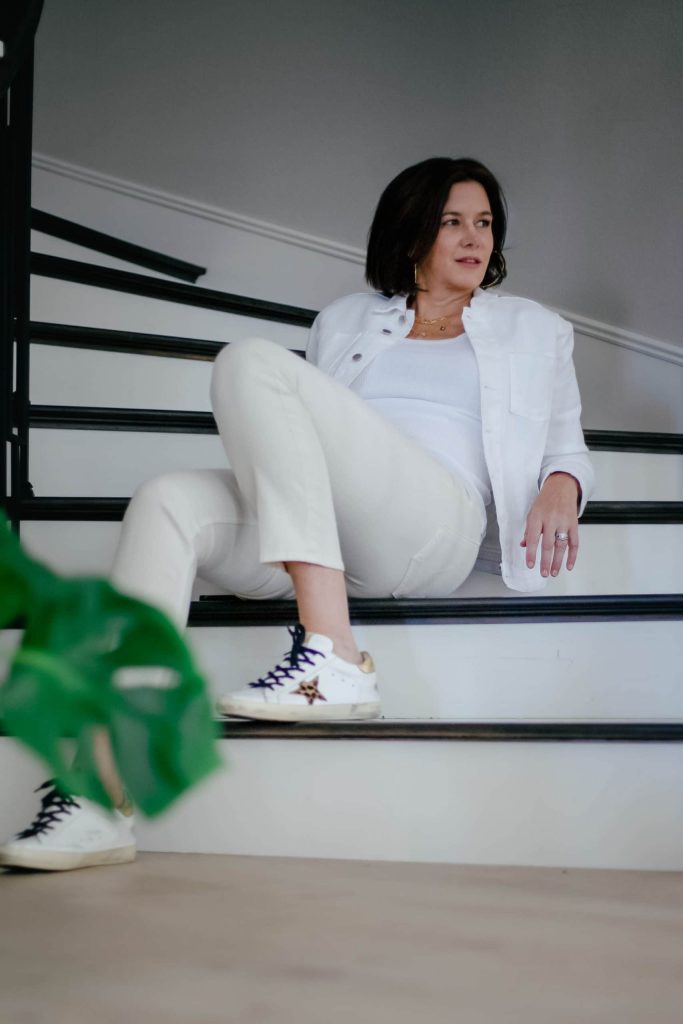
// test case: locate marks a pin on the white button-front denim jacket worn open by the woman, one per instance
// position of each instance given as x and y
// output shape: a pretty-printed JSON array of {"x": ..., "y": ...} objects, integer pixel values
[{"x": 531, "y": 406}]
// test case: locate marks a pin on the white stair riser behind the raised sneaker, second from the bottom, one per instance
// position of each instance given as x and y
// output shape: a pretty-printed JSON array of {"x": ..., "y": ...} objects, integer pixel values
[{"x": 518, "y": 672}]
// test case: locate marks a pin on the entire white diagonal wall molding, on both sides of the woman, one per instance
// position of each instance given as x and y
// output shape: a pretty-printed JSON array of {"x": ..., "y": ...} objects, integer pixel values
[{"x": 583, "y": 325}]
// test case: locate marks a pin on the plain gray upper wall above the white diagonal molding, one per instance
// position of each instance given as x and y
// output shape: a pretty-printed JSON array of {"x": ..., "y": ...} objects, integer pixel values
[{"x": 298, "y": 113}]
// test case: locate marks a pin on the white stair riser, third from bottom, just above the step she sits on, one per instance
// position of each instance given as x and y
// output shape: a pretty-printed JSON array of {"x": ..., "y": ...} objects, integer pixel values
[{"x": 623, "y": 559}]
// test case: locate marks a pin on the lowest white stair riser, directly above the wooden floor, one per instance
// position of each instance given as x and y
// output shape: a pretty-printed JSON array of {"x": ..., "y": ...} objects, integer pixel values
[{"x": 566, "y": 805}]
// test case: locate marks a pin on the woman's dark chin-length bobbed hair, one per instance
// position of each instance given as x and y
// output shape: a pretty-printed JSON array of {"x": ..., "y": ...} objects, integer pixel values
[{"x": 409, "y": 217}]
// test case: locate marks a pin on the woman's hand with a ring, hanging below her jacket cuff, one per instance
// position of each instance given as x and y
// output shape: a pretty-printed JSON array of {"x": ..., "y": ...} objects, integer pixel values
[{"x": 553, "y": 513}]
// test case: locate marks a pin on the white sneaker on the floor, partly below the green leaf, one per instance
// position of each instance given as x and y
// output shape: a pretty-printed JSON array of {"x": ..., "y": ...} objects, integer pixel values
[{"x": 69, "y": 833}]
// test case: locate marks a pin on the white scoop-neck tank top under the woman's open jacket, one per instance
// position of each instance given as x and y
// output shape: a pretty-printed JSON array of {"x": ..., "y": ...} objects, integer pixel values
[{"x": 431, "y": 391}]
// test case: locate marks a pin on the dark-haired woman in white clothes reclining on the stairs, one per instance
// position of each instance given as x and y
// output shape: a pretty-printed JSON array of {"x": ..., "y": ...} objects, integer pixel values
[{"x": 368, "y": 470}]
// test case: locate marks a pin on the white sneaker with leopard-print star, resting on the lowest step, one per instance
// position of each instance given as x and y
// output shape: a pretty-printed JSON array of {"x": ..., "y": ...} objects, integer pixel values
[{"x": 313, "y": 686}]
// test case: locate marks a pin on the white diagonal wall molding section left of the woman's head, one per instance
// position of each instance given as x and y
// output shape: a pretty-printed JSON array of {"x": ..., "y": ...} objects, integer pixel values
[{"x": 228, "y": 218}]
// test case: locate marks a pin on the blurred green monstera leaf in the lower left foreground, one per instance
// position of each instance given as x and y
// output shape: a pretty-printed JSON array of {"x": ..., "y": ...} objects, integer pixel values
[{"x": 93, "y": 659}]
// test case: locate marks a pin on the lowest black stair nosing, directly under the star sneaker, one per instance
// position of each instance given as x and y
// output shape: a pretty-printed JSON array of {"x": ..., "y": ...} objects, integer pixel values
[{"x": 435, "y": 731}]
